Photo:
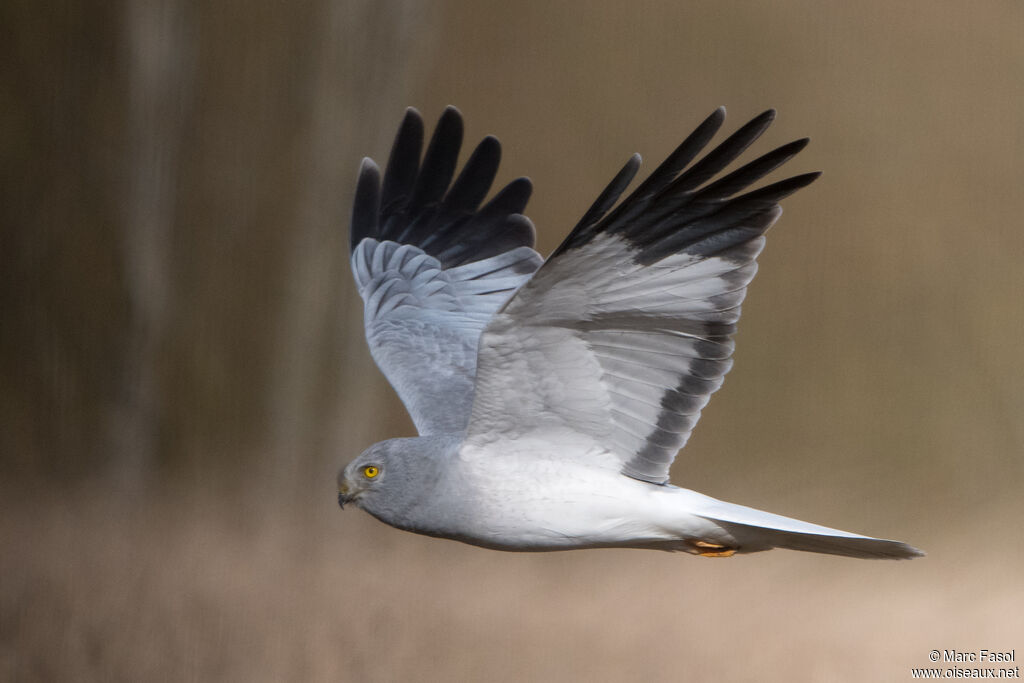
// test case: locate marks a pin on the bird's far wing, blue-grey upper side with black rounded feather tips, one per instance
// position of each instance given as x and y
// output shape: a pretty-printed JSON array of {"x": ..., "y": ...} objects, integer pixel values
[{"x": 433, "y": 266}]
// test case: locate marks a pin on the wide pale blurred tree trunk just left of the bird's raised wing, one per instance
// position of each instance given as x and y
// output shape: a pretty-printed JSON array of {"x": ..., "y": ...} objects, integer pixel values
[{"x": 361, "y": 53}]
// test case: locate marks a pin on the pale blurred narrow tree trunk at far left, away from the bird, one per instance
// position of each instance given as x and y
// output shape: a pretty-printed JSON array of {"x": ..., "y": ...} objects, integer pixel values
[{"x": 160, "y": 49}]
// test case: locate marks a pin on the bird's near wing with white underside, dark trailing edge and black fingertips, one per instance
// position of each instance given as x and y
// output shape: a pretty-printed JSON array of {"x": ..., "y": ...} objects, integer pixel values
[{"x": 627, "y": 330}]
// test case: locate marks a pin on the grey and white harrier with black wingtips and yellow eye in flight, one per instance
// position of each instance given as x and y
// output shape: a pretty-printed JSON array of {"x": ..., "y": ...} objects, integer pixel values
[{"x": 551, "y": 397}]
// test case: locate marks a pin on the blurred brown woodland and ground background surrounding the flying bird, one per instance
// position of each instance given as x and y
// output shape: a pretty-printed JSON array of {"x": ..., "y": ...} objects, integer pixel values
[{"x": 183, "y": 367}]
